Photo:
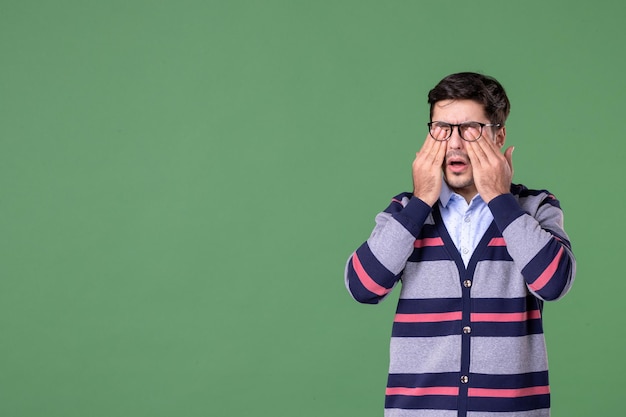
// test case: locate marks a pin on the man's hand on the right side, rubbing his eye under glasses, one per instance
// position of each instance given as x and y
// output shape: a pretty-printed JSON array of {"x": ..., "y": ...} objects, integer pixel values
[{"x": 492, "y": 170}]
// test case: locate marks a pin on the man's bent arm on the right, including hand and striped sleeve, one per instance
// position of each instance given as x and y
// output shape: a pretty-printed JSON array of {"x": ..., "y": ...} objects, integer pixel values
[{"x": 537, "y": 243}]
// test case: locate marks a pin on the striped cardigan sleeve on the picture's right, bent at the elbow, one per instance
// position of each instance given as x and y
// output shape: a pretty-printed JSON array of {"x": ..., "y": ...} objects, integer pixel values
[{"x": 537, "y": 242}]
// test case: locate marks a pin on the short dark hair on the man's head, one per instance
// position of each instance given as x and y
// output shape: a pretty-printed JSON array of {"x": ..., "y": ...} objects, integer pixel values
[{"x": 472, "y": 86}]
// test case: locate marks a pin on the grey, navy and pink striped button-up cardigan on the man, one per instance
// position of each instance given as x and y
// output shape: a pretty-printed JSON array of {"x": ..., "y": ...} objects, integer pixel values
[{"x": 467, "y": 341}]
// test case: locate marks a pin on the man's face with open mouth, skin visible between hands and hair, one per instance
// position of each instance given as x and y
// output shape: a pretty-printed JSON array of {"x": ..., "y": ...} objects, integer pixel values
[{"x": 457, "y": 168}]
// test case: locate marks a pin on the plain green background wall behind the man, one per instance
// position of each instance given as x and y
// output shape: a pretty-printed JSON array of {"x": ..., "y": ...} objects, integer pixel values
[{"x": 181, "y": 183}]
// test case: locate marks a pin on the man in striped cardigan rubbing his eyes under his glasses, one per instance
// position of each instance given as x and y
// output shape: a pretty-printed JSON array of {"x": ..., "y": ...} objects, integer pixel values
[{"x": 477, "y": 257}]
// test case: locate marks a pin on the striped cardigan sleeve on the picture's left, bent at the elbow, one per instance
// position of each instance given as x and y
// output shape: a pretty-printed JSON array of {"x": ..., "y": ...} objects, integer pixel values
[{"x": 376, "y": 266}]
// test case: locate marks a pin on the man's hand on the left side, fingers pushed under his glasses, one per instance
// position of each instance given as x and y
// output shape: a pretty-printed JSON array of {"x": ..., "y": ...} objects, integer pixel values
[{"x": 427, "y": 169}]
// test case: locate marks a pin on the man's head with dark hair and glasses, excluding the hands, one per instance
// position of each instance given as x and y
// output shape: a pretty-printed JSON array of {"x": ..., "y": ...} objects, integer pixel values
[{"x": 456, "y": 104}]
